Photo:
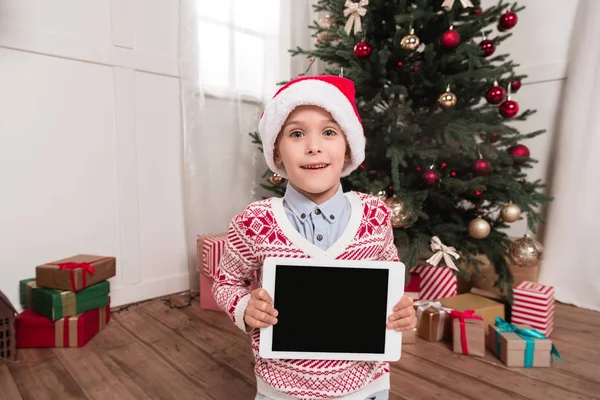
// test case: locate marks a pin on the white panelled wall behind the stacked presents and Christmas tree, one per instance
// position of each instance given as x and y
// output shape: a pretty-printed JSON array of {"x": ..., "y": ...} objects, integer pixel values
[{"x": 91, "y": 139}]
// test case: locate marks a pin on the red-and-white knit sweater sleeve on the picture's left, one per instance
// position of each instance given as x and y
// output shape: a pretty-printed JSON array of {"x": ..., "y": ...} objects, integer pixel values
[{"x": 236, "y": 273}]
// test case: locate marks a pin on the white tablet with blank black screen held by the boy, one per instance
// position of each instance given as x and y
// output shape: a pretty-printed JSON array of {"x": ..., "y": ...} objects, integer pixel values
[{"x": 332, "y": 309}]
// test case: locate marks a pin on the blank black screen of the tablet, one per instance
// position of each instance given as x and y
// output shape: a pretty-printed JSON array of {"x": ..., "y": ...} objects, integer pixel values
[{"x": 330, "y": 309}]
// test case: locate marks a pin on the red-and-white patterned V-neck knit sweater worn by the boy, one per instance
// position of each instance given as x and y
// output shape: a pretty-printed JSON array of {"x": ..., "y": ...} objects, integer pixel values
[{"x": 263, "y": 230}]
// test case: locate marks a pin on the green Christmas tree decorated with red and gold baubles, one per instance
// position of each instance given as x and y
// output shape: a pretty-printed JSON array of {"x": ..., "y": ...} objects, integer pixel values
[{"x": 435, "y": 99}]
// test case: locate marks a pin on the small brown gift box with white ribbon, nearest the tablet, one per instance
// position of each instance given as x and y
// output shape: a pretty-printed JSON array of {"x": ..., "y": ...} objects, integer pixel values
[{"x": 433, "y": 320}]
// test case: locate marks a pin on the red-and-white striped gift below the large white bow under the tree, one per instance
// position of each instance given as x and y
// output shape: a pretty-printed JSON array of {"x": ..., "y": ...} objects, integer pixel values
[{"x": 436, "y": 282}]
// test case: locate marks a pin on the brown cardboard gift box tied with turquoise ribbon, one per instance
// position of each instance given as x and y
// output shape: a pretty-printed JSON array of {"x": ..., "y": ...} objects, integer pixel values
[{"x": 511, "y": 348}]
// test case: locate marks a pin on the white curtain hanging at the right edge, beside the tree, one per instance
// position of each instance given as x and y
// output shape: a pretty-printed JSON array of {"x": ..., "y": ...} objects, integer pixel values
[{"x": 570, "y": 262}]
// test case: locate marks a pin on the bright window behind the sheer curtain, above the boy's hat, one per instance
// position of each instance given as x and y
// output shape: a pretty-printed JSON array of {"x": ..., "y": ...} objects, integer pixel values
[{"x": 233, "y": 38}]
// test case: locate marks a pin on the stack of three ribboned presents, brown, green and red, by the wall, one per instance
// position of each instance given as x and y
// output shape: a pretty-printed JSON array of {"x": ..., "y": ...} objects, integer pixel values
[{"x": 66, "y": 304}]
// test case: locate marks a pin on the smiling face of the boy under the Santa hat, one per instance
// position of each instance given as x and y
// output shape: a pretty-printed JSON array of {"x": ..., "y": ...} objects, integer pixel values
[{"x": 313, "y": 150}]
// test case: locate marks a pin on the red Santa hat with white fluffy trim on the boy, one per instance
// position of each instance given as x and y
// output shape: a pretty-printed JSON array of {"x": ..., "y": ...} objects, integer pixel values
[{"x": 334, "y": 94}]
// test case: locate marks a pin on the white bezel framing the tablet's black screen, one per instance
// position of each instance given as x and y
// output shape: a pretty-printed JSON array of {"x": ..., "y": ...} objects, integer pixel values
[{"x": 393, "y": 339}]
